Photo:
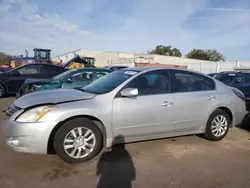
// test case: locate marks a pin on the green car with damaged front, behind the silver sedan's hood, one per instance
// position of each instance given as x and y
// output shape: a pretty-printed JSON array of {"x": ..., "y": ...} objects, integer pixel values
[{"x": 74, "y": 78}]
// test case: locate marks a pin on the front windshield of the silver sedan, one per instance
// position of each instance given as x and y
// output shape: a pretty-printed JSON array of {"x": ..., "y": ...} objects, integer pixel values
[{"x": 109, "y": 82}]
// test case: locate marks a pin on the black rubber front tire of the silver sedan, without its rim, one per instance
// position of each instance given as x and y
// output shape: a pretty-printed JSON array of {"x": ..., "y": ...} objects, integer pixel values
[{"x": 66, "y": 128}]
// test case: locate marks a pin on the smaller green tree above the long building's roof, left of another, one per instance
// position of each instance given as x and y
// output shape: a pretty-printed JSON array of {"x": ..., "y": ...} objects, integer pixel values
[{"x": 166, "y": 50}]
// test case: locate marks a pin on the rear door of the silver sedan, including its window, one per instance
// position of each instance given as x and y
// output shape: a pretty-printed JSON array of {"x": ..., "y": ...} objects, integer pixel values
[{"x": 195, "y": 96}]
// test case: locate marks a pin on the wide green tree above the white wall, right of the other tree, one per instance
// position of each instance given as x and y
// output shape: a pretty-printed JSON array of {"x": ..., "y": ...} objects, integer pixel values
[{"x": 209, "y": 55}]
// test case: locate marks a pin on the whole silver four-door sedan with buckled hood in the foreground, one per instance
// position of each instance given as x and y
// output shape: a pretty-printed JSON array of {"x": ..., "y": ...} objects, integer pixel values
[{"x": 138, "y": 104}]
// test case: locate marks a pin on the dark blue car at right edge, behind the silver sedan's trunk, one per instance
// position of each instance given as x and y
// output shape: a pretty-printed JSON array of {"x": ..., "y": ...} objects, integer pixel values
[{"x": 239, "y": 80}]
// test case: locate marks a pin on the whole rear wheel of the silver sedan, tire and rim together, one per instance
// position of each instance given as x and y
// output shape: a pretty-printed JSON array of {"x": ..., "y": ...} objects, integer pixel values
[{"x": 215, "y": 134}]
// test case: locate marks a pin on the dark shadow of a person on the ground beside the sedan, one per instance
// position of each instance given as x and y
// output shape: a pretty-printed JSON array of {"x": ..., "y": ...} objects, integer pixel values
[{"x": 115, "y": 168}]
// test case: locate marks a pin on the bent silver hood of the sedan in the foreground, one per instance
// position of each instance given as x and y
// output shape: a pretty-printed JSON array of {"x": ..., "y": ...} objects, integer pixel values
[{"x": 52, "y": 97}]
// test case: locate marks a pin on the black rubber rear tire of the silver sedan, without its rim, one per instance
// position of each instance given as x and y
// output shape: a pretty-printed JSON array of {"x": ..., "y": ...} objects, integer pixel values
[{"x": 208, "y": 132}]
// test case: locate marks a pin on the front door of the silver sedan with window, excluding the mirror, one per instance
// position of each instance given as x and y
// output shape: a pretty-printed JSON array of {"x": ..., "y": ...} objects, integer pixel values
[{"x": 149, "y": 113}]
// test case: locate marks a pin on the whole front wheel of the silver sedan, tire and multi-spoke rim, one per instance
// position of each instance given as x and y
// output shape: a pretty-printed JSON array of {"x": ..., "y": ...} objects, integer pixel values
[{"x": 92, "y": 146}]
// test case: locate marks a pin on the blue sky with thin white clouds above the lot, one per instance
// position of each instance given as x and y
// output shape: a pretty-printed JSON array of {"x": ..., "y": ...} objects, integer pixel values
[{"x": 135, "y": 26}]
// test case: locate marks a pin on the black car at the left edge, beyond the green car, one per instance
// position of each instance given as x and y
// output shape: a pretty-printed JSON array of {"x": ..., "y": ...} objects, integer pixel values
[{"x": 11, "y": 81}]
